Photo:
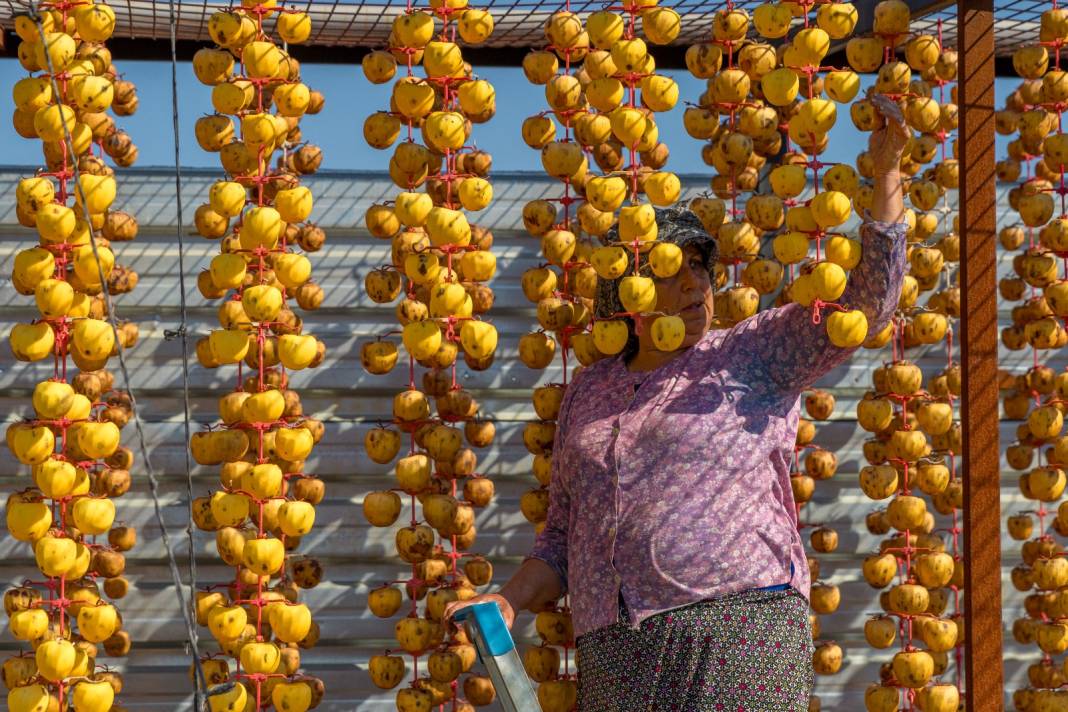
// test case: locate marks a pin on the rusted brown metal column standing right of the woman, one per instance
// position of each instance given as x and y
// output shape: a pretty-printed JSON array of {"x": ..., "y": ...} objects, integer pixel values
[{"x": 979, "y": 287}]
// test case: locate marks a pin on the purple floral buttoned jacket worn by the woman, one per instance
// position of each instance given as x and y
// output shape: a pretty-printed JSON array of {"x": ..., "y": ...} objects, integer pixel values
[{"x": 672, "y": 486}]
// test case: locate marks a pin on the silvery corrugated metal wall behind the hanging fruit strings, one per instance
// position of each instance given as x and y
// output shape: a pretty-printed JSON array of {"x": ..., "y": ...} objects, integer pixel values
[{"x": 355, "y": 556}]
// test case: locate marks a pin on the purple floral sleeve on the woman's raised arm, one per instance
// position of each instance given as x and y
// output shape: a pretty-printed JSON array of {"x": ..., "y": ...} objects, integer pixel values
[{"x": 794, "y": 353}]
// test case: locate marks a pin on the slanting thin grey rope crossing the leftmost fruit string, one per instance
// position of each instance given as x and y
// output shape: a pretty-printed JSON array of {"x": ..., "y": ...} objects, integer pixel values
[{"x": 138, "y": 425}]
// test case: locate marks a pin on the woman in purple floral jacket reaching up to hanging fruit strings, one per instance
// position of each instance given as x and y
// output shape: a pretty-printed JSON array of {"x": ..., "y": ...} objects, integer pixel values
[{"x": 671, "y": 521}]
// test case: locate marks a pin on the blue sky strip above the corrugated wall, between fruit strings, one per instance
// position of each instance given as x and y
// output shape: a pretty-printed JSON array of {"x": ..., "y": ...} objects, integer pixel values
[{"x": 350, "y": 99}]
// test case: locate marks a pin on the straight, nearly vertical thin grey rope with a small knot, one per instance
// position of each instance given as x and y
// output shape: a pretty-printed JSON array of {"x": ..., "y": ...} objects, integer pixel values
[{"x": 182, "y": 331}]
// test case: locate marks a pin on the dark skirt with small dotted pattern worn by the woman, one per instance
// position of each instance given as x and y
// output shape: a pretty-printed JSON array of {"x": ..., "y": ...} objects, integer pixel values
[{"x": 745, "y": 653}]
